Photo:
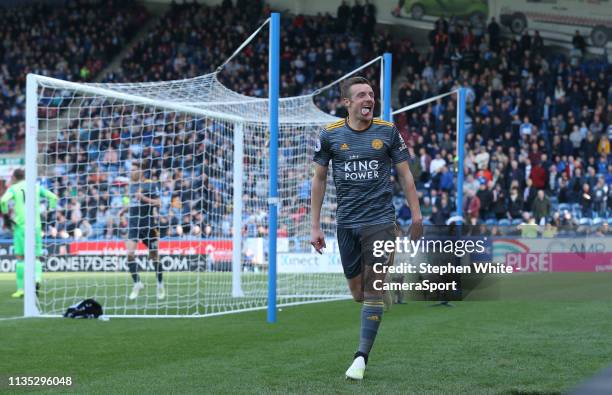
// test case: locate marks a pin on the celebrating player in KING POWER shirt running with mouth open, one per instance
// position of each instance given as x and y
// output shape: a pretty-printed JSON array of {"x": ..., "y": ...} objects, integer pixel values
[{"x": 362, "y": 150}]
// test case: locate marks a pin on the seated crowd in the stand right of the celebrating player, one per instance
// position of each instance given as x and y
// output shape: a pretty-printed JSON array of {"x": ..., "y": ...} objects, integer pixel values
[{"x": 539, "y": 128}]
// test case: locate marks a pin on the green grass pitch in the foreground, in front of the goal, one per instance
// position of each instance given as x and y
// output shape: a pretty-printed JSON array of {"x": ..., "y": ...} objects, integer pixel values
[{"x": 544, "y": 335}]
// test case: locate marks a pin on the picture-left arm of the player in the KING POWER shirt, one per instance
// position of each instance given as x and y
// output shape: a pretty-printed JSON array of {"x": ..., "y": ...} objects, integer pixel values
[{"x": 319, "y": 183}]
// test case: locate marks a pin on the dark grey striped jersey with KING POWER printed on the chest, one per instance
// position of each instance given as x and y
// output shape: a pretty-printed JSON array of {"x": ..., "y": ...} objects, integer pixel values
[{"x": 361, "y": 166}]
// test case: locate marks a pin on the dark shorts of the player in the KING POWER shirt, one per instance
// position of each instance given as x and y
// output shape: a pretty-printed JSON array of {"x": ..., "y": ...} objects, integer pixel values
[{"x": 356, "y": 246}]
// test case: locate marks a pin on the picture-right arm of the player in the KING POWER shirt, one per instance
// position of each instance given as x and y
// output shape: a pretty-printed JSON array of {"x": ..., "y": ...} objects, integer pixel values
[{"x": 399, "y": 155}]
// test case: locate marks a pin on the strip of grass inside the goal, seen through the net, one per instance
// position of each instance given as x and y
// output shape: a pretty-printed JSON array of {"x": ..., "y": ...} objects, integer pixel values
[{"x": 187, "y": 293}]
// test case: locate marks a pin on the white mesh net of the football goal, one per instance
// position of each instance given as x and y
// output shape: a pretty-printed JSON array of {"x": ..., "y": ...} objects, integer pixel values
[{"x": 184, "y": 134}]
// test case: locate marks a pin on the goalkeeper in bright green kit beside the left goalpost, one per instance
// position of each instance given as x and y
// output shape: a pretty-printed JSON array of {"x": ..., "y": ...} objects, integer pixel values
[{"x": 16, "y": 193}]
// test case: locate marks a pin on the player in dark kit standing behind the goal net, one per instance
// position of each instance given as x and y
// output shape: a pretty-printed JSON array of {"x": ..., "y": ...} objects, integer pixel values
[{"x": 143, "y": 225}]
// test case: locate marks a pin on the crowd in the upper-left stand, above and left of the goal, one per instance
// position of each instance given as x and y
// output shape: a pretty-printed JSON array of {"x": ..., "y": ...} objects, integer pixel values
[{"x": 72, "y": 42}]
